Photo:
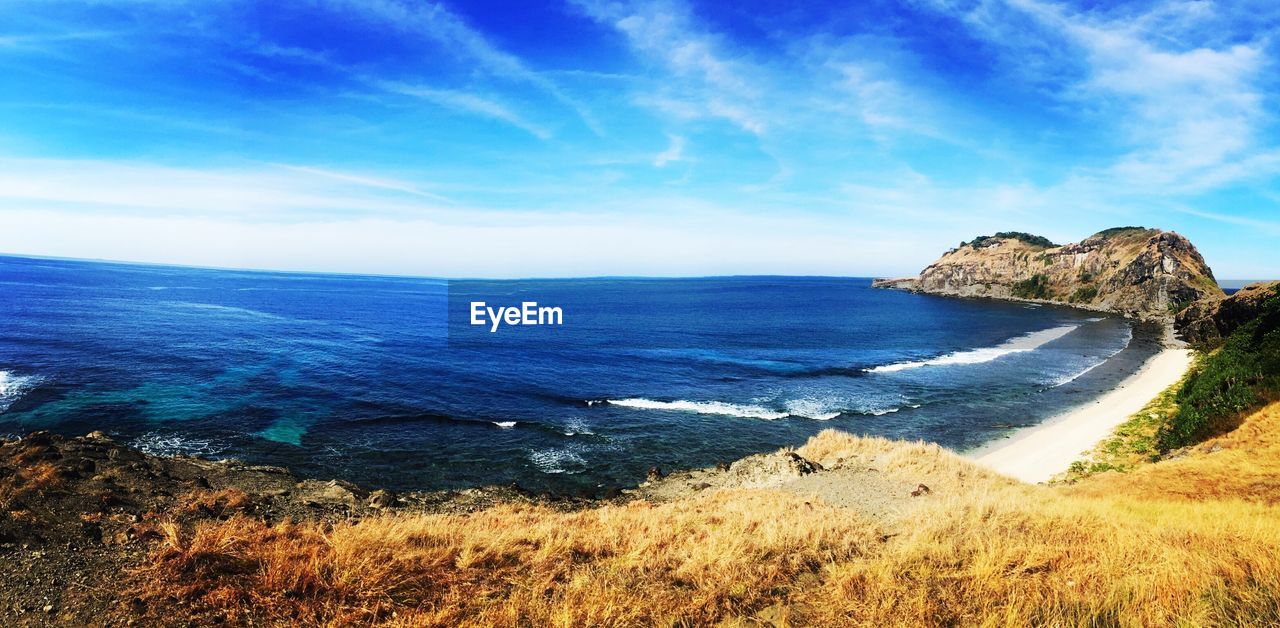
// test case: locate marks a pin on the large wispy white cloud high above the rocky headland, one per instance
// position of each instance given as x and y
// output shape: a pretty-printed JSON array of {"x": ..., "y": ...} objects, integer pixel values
[{"x": 1185, "y": 107}]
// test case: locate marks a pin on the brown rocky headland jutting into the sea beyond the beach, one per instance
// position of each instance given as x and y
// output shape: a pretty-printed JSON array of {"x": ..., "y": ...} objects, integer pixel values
[{"x": 1142, "y": 273}]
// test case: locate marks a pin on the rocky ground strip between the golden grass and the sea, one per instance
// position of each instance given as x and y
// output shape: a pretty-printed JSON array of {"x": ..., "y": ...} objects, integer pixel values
[{"x": 80, "y": 516}]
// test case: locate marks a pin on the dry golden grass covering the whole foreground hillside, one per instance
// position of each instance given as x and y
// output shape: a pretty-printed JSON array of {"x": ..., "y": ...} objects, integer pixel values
[{"x": 1183, "y": 543}]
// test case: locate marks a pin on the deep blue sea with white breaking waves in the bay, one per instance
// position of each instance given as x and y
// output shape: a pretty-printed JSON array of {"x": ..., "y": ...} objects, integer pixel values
[{"x": 381, "y": 382}]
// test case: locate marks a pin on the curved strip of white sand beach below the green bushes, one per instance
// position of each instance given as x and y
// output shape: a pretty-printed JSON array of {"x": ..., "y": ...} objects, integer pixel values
[{"x": 1039, "y": 453}]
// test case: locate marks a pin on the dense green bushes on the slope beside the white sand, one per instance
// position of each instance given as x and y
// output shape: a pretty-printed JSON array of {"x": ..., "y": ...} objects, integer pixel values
[{"x": 1241, "y": 377}]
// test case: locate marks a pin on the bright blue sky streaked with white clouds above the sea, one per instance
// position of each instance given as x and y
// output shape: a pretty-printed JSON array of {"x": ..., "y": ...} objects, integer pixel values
[{"x": 592, "y": 137}]
